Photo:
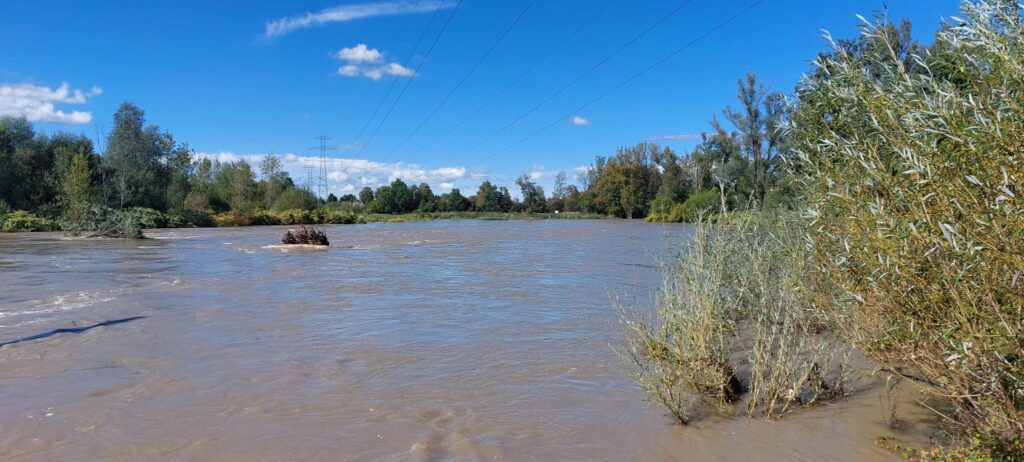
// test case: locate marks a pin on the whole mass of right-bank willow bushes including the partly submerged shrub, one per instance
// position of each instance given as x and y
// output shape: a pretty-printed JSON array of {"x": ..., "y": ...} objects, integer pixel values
[{"x": 907, "y": 164}]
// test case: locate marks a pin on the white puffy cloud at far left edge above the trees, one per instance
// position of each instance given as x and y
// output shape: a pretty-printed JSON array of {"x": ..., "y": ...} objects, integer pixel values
[{"x": 38, "y": 103}]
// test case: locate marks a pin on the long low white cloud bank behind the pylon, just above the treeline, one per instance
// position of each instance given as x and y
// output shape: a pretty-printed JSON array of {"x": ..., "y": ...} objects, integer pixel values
[{"x": 347, "y": 176}]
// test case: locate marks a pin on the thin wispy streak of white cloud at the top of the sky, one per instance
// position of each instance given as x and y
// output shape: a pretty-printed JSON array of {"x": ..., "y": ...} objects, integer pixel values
[{"x": 346, "y": 14}]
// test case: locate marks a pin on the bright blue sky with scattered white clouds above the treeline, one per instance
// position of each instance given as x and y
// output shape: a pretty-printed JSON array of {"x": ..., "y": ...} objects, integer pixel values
[{"x": 241, "y": 79}]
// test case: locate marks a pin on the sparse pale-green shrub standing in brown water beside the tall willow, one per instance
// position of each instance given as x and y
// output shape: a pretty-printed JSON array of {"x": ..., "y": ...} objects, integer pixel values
[{"x": 738, "y": 288}]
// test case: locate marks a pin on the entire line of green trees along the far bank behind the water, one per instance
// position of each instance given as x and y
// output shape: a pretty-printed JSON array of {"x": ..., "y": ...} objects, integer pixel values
[{"x": 62, "y": 182}]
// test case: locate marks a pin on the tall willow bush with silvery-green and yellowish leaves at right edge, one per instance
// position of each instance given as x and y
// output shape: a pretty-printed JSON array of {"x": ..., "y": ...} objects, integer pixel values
[{"x": 913, "y": 169}]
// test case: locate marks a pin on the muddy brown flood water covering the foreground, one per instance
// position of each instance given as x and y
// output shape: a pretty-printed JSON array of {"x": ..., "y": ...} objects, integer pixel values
[{"x": 446, "y": 341}]
